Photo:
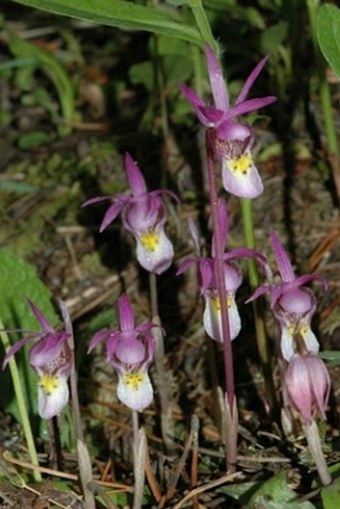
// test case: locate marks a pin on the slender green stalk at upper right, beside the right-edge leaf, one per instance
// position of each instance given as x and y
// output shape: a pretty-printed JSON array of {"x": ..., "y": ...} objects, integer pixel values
[{"x": 325, "y": 98}]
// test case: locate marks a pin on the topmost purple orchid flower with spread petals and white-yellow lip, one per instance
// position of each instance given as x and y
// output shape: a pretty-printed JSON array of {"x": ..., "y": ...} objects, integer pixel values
[{"x": 234, "y": 139}]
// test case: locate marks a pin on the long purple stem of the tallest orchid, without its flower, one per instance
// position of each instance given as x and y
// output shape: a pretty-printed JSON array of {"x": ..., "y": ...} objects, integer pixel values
[{"x": 231, "y": 436}]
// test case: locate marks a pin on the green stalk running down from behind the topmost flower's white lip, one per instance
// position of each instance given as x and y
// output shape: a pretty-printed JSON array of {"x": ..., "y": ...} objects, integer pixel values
[{"x": 260, "y": 327}]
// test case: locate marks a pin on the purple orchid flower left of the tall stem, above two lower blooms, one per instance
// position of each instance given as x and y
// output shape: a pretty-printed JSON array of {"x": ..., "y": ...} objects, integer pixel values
[{"x": 144, "y": 216}]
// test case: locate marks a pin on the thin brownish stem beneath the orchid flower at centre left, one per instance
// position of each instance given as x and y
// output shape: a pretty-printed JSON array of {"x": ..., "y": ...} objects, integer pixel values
[{"x": 166, "y": 414}]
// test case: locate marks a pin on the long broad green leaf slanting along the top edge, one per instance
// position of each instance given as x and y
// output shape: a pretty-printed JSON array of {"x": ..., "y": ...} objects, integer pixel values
[{"x": 121, "y": 14}]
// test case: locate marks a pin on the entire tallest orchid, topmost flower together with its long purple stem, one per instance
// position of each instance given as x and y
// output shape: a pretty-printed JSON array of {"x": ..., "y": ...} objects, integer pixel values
[{"x": 228, "y": 141}]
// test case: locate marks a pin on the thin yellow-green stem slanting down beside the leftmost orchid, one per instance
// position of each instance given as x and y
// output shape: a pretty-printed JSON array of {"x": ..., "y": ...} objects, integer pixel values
[{"x": 21, "y": 405}]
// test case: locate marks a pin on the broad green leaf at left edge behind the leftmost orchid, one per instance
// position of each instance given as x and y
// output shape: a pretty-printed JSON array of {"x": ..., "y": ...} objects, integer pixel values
[{"x": 18, "y": 279}]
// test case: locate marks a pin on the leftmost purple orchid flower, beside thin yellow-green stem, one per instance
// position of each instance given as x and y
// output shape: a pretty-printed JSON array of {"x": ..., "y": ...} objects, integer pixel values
[{"x": 51, "y": 358}]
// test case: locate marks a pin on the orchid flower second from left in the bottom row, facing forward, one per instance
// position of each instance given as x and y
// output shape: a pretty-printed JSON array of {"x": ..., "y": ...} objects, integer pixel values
[{"x": 130, "y": 350}]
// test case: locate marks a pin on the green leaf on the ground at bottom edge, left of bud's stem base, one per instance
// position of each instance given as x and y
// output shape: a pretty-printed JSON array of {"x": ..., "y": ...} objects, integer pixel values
[{"x": 276, "y": 494}]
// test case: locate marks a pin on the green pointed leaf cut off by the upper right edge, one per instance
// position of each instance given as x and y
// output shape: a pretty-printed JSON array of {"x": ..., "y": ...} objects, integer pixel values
[{"x": 328, "y": 34}]
